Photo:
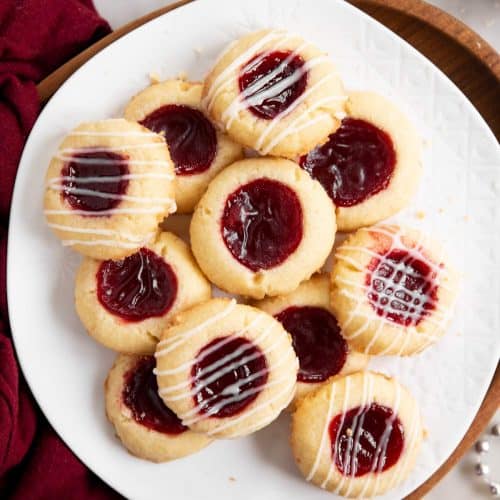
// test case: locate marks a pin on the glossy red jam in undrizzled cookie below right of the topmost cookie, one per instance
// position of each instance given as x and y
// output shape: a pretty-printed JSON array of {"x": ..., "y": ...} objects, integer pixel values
[{"x": 355, "y": 163}]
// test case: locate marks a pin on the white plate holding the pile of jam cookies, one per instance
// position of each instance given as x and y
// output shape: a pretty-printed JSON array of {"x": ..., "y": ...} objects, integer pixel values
[{"x": 459, "y": 195}]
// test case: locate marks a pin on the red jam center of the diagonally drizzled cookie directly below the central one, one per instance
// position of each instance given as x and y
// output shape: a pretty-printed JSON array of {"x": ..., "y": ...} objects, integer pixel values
[{"x": 228, "y": 374}]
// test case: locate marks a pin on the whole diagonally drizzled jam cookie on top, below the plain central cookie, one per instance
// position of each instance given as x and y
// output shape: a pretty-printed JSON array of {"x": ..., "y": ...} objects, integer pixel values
[{"x": 226, "y": 369}]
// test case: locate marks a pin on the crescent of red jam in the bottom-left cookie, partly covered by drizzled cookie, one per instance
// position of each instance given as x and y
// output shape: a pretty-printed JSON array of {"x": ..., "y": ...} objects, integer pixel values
[{"x": 140, "y": 395}]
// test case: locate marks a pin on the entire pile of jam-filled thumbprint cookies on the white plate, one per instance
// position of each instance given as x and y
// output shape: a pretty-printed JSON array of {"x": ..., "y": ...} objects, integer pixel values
[{"x": 271, "y": 156}]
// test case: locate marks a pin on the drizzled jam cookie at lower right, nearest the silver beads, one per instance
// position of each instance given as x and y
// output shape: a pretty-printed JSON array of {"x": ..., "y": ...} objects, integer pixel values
[{"x": 358, "y": 436}]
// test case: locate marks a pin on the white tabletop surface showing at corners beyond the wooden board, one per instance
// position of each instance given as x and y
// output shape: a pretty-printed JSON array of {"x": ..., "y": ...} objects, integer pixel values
[{"x": 484, "y": 17}]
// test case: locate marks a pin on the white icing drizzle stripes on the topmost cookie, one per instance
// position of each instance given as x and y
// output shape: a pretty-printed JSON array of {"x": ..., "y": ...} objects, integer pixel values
[{"x": 255, "y": 94}]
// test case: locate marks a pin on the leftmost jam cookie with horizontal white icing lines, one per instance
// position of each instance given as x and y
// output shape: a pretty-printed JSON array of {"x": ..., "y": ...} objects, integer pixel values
[{"x": 108, "y": 186}]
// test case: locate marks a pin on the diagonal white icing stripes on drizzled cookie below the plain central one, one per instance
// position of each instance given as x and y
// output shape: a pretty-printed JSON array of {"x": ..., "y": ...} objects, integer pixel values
[{"x": 220, "y": 367}]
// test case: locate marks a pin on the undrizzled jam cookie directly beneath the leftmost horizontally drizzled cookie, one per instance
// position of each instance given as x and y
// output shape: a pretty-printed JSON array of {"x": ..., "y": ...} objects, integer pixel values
[{"x": 125, "y": 304}]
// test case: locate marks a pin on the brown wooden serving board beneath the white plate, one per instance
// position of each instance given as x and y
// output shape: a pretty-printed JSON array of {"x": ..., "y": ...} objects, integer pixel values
[{"x": 472, "y": 64}]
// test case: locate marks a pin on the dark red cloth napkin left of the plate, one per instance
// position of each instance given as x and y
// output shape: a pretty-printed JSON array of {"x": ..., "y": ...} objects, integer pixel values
[{"x": 36, "y": 36}]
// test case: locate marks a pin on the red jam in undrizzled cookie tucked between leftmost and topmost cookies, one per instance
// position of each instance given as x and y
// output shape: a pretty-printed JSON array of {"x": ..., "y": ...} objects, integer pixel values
[{"x": 191, "y": 138}]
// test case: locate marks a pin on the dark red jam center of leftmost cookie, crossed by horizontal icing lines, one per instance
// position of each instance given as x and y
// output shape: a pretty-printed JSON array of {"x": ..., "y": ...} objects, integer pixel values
[{"x": 94, "y": 181}]
